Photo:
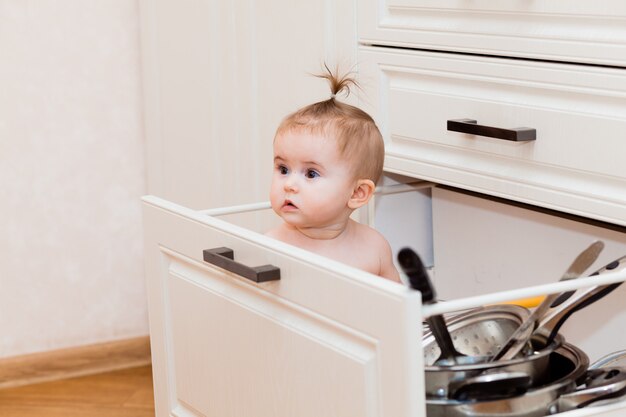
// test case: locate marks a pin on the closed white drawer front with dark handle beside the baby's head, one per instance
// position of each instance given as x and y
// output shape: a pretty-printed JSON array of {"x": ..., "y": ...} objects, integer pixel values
[{"x": 576, "y": 164}]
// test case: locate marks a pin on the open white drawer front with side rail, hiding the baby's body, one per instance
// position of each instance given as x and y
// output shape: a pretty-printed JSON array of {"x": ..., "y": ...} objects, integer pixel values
[{"x": 323, "y": 340}]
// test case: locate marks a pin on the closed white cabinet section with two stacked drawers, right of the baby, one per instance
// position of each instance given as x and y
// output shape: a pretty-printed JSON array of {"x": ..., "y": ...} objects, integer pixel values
[{"x": 503, "y": 64}]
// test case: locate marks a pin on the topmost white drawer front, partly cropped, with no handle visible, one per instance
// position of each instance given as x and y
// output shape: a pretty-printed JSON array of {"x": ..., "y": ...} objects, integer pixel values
[{"x": 571, "y": 31}]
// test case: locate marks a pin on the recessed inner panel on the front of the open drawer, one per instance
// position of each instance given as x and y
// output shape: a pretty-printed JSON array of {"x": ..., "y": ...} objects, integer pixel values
[{"x": 242, "y": 338}]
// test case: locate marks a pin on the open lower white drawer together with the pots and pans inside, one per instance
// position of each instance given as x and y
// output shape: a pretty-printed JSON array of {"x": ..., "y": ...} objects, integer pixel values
[{"x": 242, "y": 324}]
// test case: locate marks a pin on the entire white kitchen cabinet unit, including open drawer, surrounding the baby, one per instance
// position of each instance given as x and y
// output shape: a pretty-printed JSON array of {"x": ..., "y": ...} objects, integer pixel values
[{"x": 327, "y": 339}]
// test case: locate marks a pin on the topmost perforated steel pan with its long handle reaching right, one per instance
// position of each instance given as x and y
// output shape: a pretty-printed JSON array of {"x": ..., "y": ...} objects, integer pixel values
[{"x": 479, "y": 331}]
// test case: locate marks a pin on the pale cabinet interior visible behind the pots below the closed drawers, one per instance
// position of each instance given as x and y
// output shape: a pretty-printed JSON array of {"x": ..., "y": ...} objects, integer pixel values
[{"x": 484, "y": 245}]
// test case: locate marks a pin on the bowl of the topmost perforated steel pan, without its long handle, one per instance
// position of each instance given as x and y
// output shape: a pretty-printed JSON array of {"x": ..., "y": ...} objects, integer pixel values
[{"x": 477, "y": 333}]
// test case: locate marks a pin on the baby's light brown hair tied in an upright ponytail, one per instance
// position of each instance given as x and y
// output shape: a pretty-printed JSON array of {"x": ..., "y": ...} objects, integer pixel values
[{"x": 358, "y": 138}]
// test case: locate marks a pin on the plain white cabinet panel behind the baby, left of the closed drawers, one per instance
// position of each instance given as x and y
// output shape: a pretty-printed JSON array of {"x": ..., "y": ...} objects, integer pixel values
[{"x": 218, "y": 77}]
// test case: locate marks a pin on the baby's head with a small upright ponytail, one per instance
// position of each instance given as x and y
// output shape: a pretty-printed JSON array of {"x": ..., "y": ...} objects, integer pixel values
[{"x": 328, "y": 157}]
